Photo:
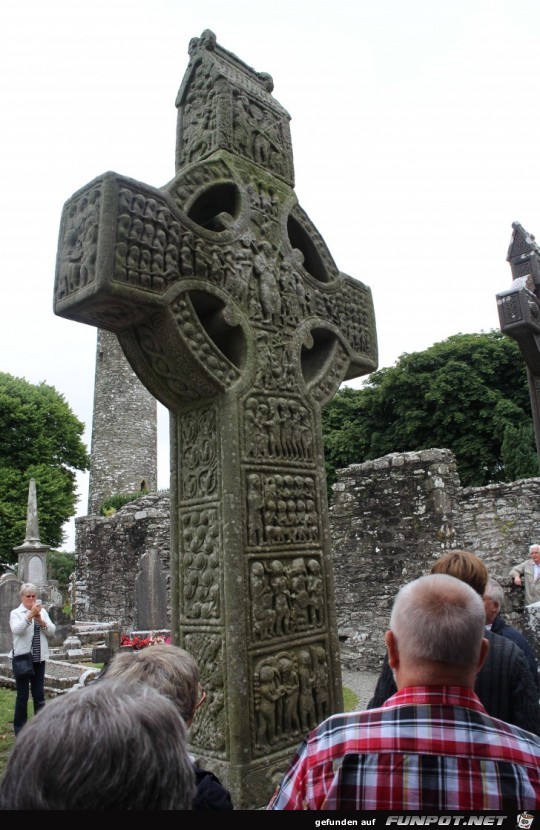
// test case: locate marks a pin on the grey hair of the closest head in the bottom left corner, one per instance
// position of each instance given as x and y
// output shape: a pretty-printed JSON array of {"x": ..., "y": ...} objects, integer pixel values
[{"x": 122, "y": 746}]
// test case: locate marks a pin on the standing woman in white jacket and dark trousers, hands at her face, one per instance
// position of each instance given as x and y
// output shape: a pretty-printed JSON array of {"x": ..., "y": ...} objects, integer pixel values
[{"x": 30, "y": 626}]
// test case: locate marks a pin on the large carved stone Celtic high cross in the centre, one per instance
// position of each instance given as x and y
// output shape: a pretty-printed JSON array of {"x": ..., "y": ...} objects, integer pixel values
[{"x": 232, "y": 312}]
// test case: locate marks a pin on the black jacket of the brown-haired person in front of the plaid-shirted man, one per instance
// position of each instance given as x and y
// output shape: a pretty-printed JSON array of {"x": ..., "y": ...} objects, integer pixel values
[{"x": 504, "y": 685}]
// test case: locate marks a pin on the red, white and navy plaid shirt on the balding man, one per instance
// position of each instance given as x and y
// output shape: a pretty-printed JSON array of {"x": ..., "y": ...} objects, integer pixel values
[{"x": 428, "y": 747}]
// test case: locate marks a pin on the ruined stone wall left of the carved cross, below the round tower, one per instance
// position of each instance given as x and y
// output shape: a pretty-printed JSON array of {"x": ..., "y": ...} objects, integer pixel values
[{"x": 109, "y": 552}]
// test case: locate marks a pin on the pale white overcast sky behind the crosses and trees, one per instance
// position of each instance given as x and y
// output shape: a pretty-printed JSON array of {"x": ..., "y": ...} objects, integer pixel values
[{"x": 415, "y": 129}]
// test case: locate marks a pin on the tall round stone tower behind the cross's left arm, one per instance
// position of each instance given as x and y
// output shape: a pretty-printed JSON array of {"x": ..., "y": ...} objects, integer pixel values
[{"x": 123, "y": 456}]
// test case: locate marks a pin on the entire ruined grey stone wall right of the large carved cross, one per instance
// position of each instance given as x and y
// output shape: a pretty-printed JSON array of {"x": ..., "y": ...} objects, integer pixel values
[{"x": 392, "y": 517}]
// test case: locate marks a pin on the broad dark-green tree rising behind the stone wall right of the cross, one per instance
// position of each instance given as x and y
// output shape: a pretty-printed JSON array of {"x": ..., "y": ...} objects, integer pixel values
[{"x": 464, "y": 393}]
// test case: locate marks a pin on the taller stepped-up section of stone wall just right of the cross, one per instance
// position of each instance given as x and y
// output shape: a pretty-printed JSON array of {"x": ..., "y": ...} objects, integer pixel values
[{"x": 390, "y": 518}]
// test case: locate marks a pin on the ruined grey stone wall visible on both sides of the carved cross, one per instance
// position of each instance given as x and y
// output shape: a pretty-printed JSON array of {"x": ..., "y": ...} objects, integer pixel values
[{"x": 390, "y": 519}]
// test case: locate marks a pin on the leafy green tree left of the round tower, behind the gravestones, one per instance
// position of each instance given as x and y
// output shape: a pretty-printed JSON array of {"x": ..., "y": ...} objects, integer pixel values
[{"x": 40, "y": 438}]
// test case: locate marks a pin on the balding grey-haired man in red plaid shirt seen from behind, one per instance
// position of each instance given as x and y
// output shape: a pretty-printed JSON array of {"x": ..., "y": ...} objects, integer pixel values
[{"x": 432, "y": 745}]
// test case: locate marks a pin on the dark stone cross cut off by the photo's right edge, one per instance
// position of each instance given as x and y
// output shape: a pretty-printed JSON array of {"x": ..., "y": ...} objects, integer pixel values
[{"x": 519, "y": 312}]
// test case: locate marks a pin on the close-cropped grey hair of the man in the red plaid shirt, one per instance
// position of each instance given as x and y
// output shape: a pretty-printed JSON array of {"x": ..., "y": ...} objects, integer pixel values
[{"x": 438, "y": 619}]
